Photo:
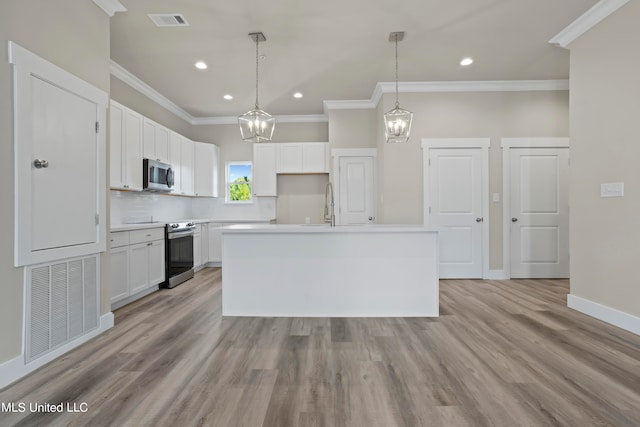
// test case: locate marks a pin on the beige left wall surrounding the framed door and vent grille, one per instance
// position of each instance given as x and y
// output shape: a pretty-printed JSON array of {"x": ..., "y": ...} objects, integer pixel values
[{"x": 75, "y": 36}]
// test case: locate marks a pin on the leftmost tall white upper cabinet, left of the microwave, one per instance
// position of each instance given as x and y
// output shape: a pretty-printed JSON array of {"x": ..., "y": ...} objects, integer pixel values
[{"x": 125, "y": 147}]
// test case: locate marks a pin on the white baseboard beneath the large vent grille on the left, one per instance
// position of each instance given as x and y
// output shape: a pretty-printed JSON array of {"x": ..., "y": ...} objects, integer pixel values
[{"x": 14, "y": 369}]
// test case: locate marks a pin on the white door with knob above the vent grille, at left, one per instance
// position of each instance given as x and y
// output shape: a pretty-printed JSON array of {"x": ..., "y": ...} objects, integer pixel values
[{"x": 63, "y": 194}]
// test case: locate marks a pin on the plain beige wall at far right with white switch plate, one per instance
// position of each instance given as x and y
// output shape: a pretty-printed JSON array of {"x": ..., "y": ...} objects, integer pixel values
[{"x": 605, "y": 112}]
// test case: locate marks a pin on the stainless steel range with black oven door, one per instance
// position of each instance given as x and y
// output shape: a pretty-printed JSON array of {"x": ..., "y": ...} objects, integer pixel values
[{"x": 179, "y": 247}]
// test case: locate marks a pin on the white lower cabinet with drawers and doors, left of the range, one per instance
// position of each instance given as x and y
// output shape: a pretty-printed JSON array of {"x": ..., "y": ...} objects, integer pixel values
[{"x": 137, "y": 264}]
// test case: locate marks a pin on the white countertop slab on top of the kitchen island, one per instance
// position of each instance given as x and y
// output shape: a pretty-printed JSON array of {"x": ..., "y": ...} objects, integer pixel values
[{"x": 326, "y": 228}]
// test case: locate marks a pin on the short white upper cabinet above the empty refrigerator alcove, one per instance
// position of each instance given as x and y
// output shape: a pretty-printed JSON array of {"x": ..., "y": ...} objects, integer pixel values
[{"x": 303, "y": 157}]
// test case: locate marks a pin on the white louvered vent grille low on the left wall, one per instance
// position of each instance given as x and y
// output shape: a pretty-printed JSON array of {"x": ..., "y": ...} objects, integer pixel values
[{"x": 62, "y": 304}]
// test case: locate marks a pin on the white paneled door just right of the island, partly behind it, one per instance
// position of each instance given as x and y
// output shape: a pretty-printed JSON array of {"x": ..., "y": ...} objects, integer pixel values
[{"x": 455, "y": 203}]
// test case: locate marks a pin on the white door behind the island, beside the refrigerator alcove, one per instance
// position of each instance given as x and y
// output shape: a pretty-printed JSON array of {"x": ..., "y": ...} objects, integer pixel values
[{"x": 356, "y": 192}]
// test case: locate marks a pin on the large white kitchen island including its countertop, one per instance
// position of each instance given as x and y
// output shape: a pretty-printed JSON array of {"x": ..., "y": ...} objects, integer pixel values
[{"x": 321, "y": 271}]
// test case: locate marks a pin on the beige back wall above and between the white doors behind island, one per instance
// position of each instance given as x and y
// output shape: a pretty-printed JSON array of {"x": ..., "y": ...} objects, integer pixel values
[{"x": 447, "y": 115}]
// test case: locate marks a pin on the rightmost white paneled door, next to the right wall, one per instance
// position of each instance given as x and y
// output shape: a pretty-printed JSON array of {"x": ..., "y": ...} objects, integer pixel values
[{"x": 539, "y": 212}]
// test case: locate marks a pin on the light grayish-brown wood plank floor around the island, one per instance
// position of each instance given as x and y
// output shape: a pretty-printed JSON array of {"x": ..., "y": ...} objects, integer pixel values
[{"x": 503, "y": 353}]
